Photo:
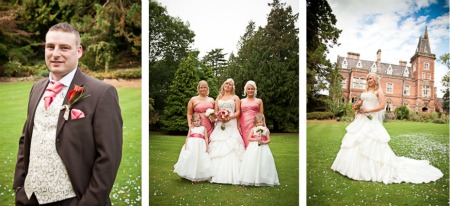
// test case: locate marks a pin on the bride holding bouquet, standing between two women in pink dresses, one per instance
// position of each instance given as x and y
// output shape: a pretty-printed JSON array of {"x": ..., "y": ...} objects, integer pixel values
[{"x": 226, "y": 147}]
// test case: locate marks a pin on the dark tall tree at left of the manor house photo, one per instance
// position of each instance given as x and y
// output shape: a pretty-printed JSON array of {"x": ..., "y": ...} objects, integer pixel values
[{"x": 321, "y": 34}]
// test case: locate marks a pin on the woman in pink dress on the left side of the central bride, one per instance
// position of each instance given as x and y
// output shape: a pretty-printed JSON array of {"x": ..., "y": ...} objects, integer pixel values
[{"x": 199, "y": 104}]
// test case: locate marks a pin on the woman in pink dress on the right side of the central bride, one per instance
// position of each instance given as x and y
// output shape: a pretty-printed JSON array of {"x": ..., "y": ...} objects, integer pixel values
[{"x": 250, "y": 106}]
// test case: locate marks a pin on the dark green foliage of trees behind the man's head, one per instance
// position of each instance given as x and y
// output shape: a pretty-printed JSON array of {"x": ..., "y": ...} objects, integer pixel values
[{"x": 110, "y": 31}]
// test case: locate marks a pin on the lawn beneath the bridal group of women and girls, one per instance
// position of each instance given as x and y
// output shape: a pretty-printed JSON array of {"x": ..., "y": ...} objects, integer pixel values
[{"x": 167, "y": 188}]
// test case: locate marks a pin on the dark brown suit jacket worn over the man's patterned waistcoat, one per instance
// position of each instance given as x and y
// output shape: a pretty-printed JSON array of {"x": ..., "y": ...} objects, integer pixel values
[{"x": 90, "y": 147}]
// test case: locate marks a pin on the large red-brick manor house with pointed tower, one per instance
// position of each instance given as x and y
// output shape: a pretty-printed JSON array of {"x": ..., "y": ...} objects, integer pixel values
[{"x": 402, "y": 85}]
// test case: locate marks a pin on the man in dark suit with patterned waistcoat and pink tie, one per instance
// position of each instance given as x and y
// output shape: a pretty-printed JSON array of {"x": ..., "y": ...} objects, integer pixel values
[{"x": 71, "y": 144}]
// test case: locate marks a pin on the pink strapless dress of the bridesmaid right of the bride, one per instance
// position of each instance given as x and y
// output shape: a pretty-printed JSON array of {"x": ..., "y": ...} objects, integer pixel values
[{"x": 249, "y": 110}]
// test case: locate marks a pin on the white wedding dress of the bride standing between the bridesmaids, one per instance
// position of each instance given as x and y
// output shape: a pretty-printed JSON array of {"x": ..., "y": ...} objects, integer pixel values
[{"x": 226, "y": 148}]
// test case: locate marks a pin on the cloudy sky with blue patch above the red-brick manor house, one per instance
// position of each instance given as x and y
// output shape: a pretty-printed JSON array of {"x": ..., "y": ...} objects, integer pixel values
[{"x": 394, "y": 27}]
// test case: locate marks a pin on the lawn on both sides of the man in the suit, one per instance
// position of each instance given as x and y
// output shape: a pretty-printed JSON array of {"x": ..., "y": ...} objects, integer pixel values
[{"x": 13, "y": 104}]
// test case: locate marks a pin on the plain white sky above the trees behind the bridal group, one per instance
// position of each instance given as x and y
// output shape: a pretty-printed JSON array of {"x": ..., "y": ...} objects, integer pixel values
[{"x": 221, "y": 23}]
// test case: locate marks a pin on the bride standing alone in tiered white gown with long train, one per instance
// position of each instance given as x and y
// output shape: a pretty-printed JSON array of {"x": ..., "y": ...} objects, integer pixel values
[{"x": 365, "y": 153}]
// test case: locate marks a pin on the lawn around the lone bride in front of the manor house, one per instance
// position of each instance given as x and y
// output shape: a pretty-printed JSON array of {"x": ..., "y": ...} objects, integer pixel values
[{"x": 410, "y": 139}]
